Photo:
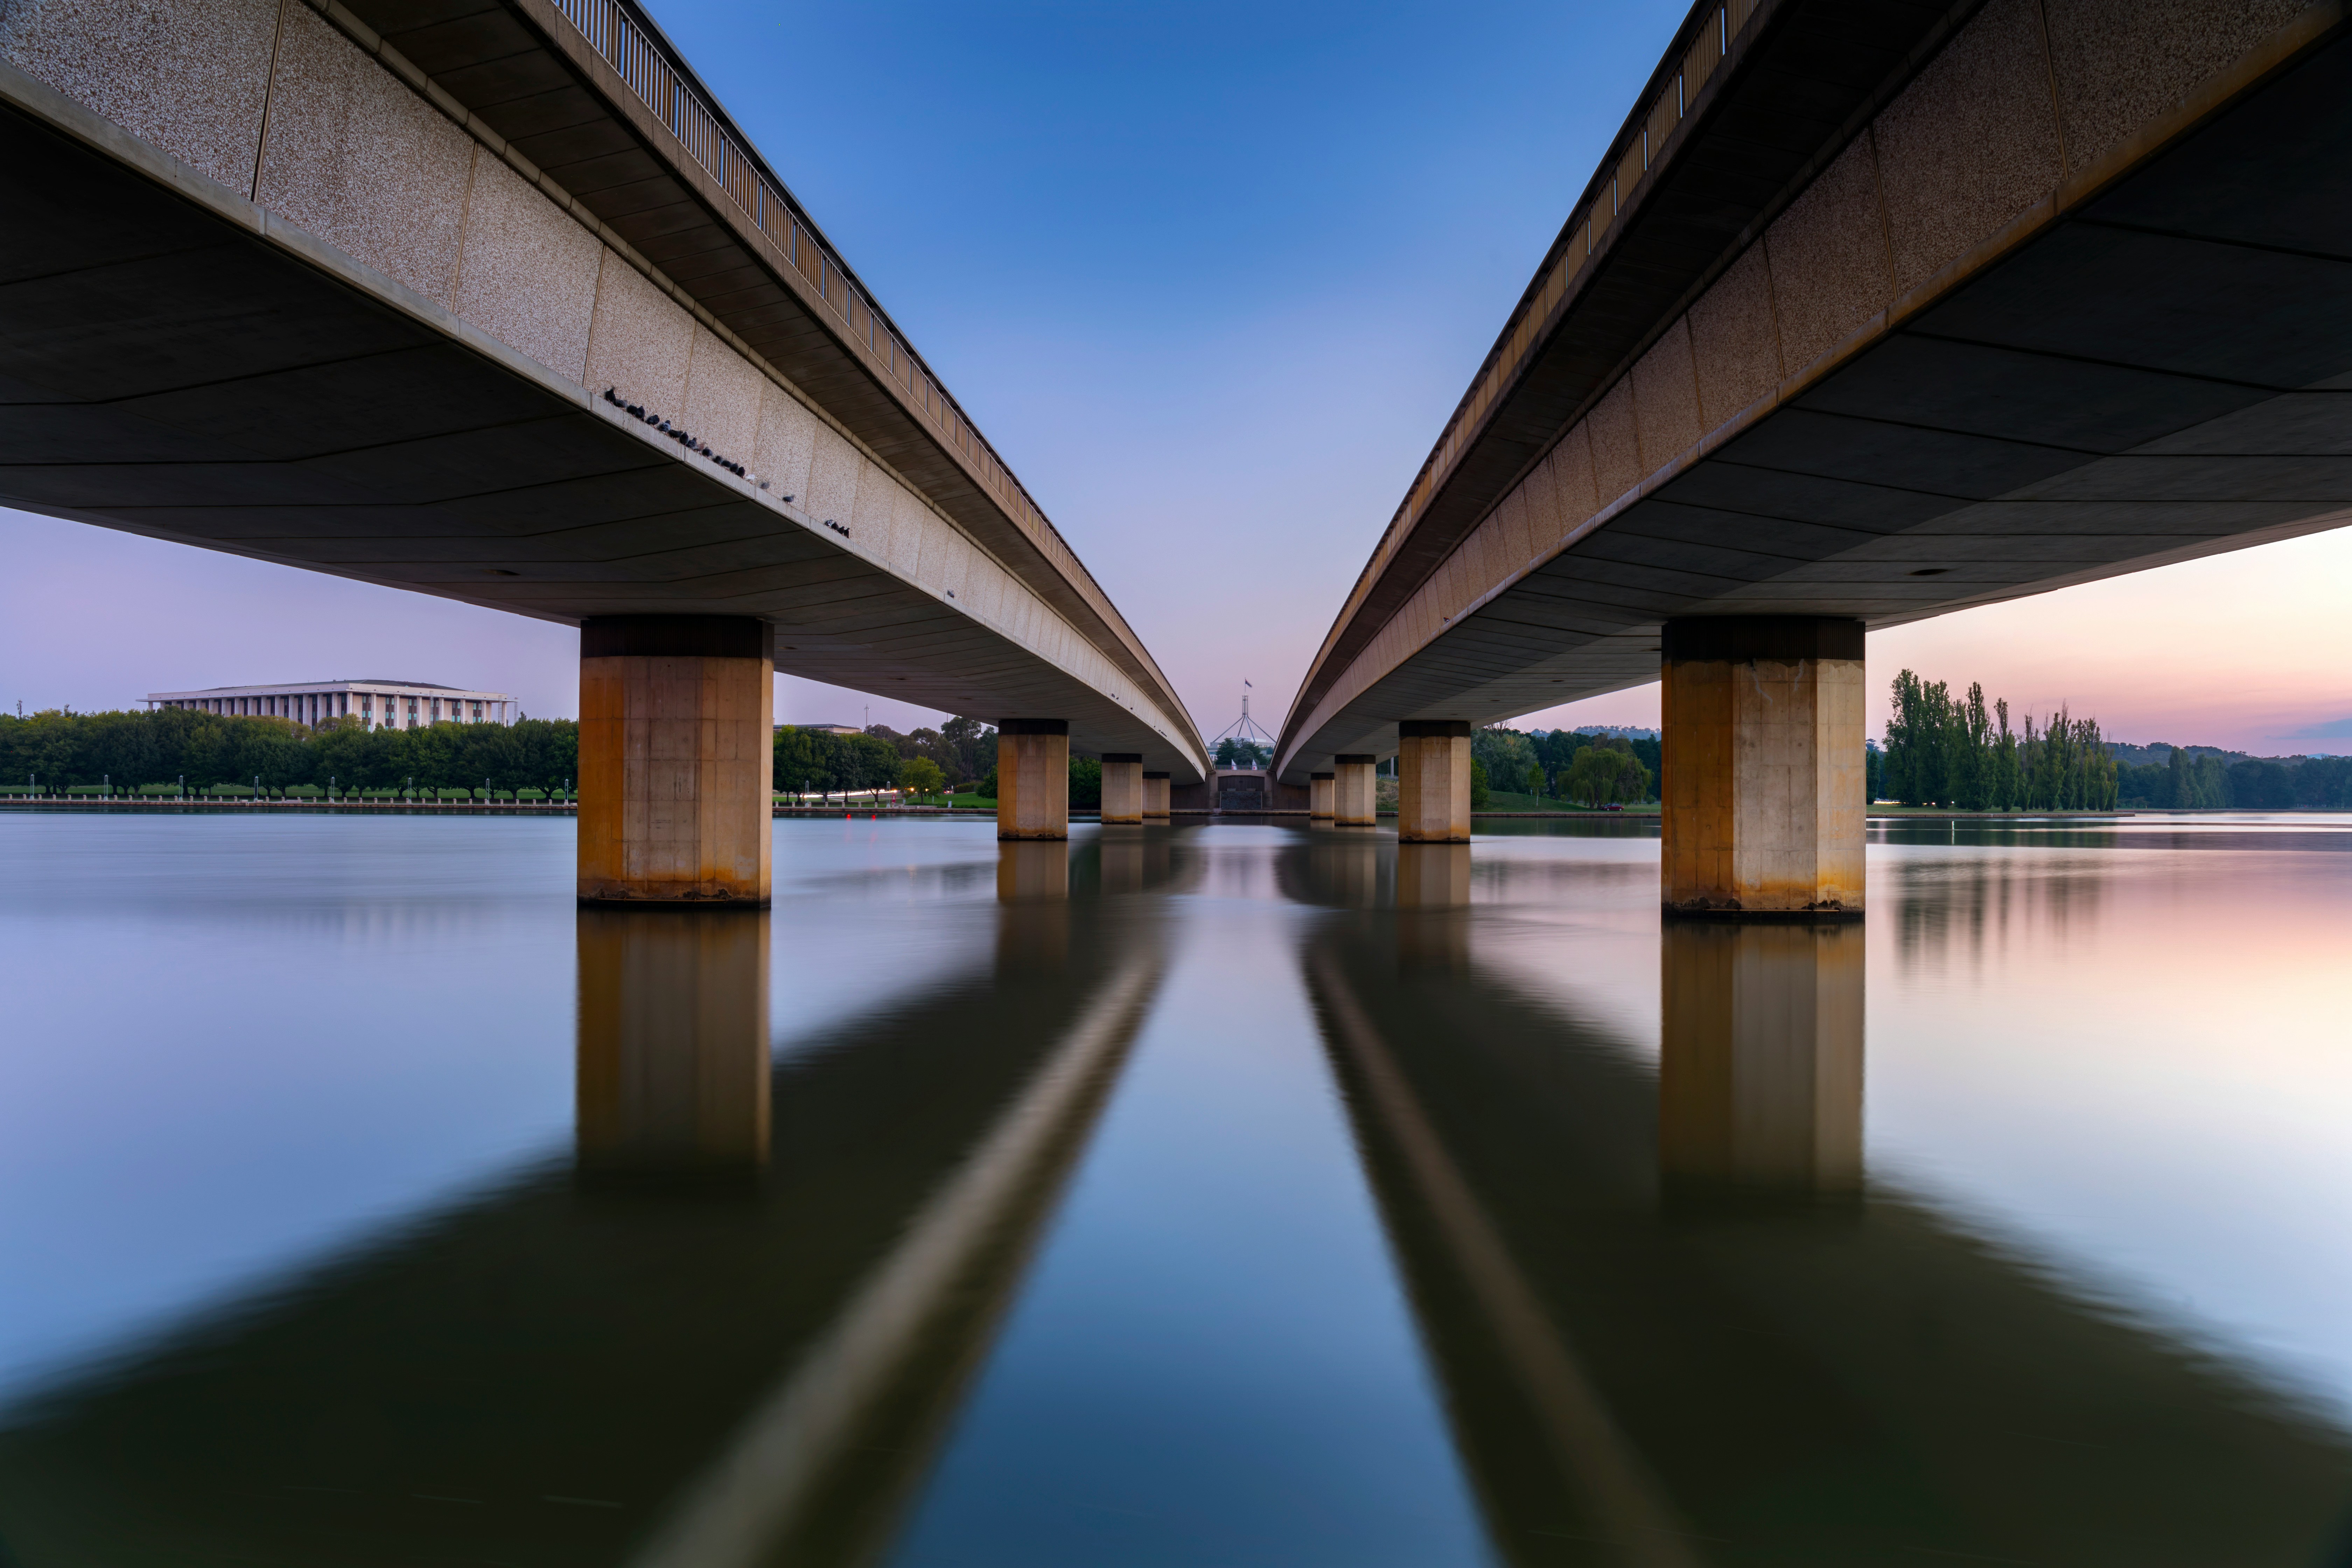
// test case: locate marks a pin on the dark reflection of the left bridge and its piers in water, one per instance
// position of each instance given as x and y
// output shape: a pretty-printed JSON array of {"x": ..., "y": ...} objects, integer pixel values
[{"x": 728, "y": 1332}]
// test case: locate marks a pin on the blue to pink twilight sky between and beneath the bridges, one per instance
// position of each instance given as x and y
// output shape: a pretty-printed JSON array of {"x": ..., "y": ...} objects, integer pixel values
[{"x": 1210, "y": 279}]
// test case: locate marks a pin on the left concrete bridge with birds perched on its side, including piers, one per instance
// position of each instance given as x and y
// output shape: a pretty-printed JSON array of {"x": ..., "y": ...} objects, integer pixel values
[{"x": 490, "y": 300}]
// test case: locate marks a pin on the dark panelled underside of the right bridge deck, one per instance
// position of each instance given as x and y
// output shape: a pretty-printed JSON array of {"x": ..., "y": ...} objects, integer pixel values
[{"x": 2160, "y": 375}]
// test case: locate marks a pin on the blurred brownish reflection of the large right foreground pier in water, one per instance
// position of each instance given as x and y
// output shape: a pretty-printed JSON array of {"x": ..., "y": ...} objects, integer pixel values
[{"x": 1760, "y": 1076}]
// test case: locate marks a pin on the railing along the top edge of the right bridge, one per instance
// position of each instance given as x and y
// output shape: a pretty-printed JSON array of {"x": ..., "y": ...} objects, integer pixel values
[{"x": 1612, "y": 189}]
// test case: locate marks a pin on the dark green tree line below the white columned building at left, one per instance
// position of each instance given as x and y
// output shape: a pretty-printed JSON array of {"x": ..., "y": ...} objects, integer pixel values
[{"x": 171, "y": 746}]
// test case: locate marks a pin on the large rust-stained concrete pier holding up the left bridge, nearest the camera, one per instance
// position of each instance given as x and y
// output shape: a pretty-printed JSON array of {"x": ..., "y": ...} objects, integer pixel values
[{"x": 676, "y": 758}]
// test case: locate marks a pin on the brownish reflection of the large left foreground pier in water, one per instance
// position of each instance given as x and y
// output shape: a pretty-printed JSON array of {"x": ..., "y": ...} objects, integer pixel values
[{"x": 674, "y": 1054}]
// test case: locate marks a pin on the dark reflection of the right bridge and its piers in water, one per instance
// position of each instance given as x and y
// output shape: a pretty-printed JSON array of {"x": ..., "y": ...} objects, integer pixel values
[{"x": 1676, "y": 1325}]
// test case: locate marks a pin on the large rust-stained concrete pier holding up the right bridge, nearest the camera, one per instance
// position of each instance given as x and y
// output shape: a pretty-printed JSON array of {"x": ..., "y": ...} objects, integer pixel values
[{"x": 1763, "y": 791}]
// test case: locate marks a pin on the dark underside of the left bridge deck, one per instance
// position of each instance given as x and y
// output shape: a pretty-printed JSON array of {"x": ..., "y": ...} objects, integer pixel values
[{"x": 182, "y": 366}]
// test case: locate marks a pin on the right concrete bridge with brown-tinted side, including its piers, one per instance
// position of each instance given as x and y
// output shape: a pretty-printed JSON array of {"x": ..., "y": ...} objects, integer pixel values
[{"x": 1871, "y": 314}]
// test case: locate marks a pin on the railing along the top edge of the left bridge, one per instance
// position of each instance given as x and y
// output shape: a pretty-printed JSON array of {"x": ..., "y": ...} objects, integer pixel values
[{"x": 634, "y": 48}]
